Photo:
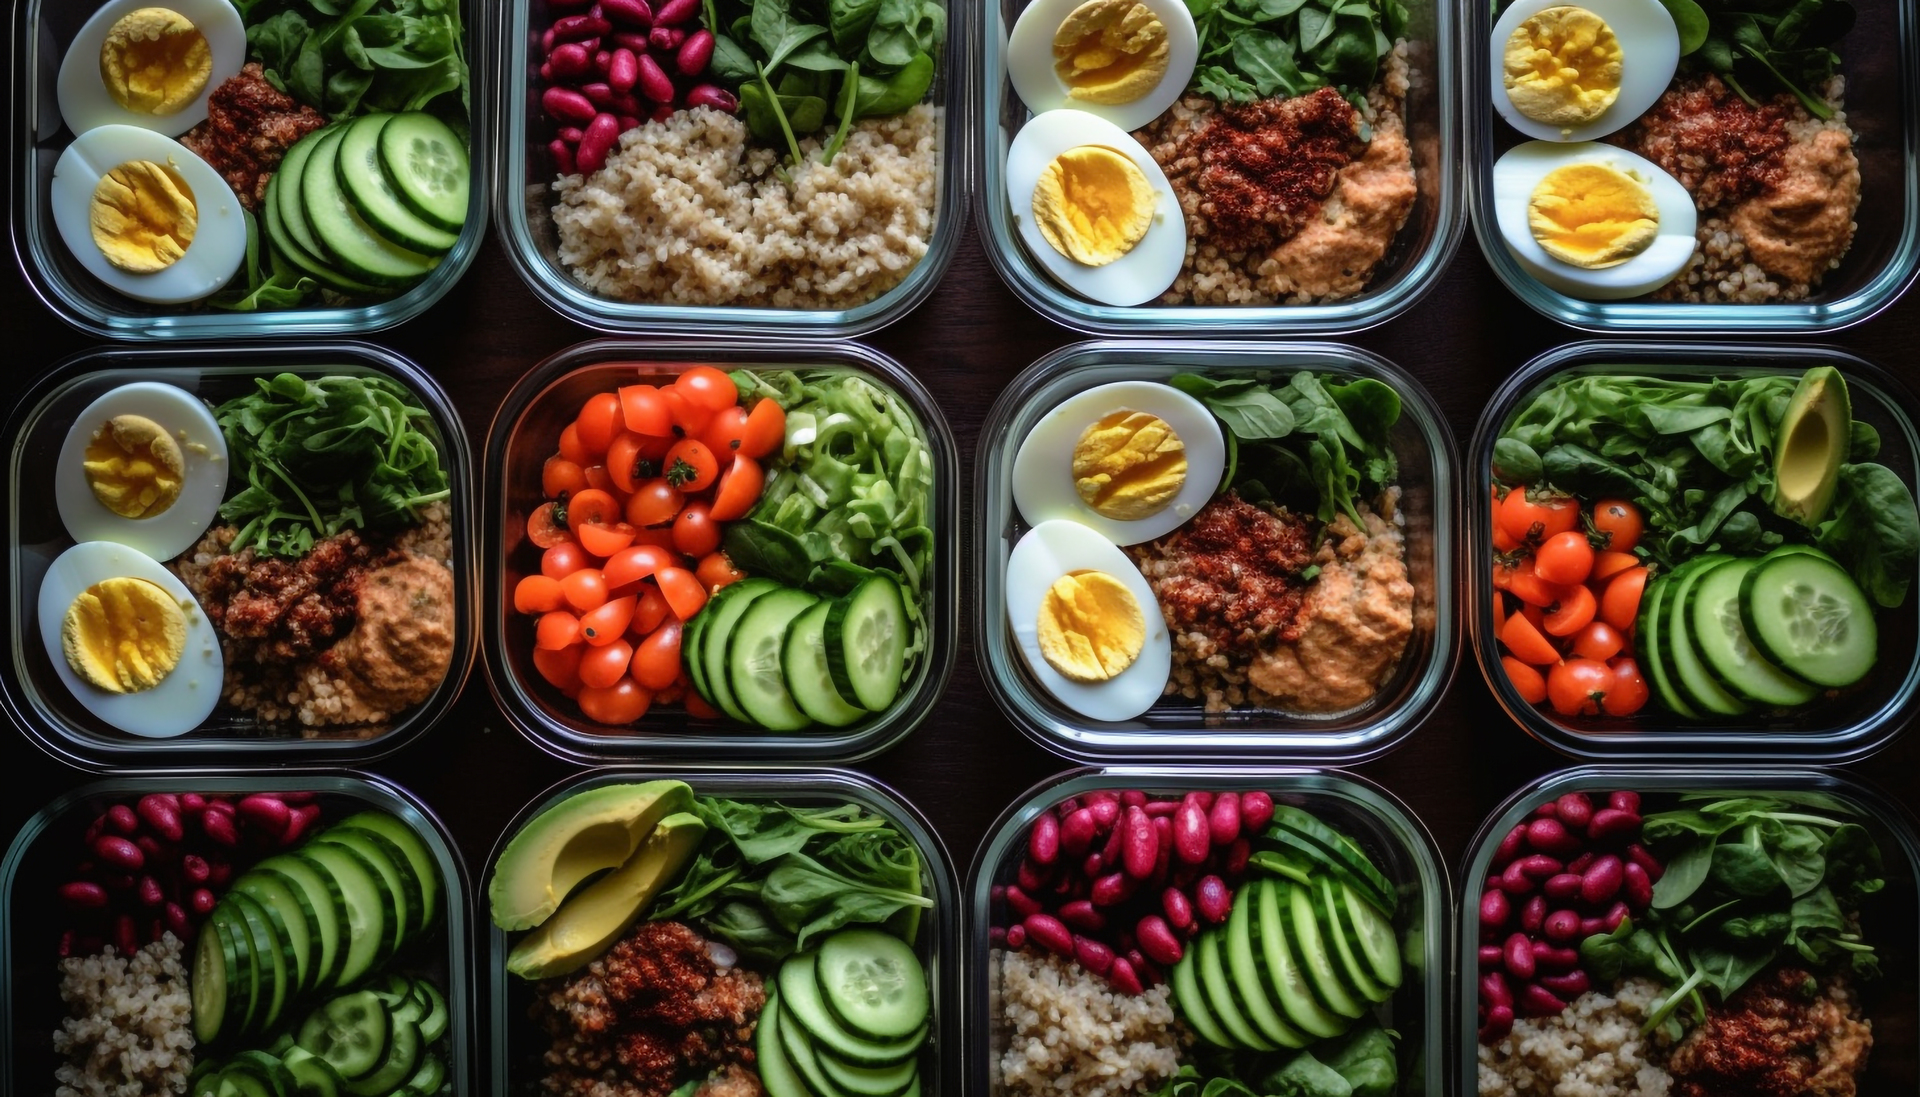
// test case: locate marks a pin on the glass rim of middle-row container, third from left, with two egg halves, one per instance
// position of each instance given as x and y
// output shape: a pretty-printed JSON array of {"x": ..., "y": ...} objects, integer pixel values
[{"x": 1299, "y": 741}]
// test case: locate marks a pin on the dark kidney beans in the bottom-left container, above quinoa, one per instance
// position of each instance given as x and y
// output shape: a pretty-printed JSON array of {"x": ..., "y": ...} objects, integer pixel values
[{"x": 160, "y": 864}]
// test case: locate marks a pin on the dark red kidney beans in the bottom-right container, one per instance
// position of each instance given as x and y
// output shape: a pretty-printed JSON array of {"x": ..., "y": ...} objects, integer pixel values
[{"x": 1570, "y": 871}]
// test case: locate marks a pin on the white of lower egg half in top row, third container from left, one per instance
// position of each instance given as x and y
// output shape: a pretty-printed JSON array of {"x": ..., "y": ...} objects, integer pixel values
[{"x": 1132, "y": 280}]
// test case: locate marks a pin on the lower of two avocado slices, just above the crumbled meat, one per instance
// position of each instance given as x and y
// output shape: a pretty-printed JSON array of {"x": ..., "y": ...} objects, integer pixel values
[{"x": 592, "y": 921}]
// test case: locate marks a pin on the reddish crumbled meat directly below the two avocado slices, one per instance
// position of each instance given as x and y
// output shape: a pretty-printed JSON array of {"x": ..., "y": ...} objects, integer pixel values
[{"x": 648, "y": 1015}]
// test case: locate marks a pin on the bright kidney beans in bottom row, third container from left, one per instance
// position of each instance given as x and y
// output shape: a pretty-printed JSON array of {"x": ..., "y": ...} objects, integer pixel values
[{"x": 1118, "y": 881}]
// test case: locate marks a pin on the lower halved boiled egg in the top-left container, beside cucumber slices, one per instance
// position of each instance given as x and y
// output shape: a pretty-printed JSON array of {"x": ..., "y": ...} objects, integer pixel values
[{"x": 147, "y": 216}]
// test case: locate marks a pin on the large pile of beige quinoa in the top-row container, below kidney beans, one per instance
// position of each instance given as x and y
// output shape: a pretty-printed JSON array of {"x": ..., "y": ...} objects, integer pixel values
[{"x": 690, "y": 212}]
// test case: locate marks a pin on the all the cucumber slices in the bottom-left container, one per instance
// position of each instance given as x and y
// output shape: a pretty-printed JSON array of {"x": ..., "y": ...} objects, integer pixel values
[{"x": 293, "y": 987}]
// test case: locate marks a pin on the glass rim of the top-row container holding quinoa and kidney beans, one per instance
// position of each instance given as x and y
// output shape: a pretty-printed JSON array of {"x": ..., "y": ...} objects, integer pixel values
[{"x": 560, "y": 293}]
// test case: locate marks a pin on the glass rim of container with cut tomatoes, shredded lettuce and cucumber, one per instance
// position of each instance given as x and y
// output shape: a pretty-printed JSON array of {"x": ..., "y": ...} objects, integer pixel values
[{"x": 807, "y": 748}]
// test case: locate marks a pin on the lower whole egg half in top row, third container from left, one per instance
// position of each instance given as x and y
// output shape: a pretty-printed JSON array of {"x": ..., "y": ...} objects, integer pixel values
[{"x": 1095, "y": 208}]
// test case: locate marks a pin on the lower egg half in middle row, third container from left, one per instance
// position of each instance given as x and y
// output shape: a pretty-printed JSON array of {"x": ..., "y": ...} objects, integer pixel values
[{"x": 1088, "y": 622}]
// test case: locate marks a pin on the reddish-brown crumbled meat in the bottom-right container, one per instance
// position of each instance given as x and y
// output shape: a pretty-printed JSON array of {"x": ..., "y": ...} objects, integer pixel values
[{"x": 1785, "y": 1035}]
